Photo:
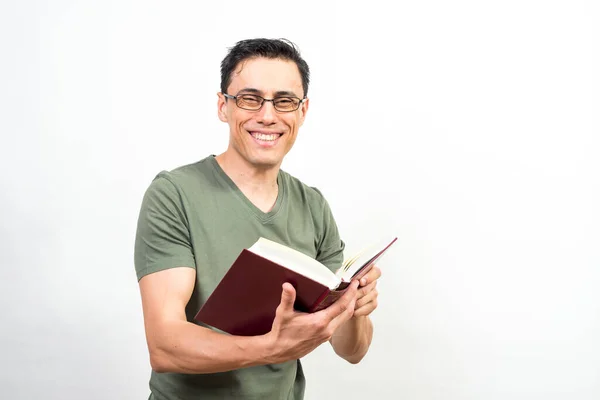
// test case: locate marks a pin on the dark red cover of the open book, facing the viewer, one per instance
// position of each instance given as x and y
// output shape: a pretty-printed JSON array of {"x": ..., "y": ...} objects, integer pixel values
[{"x": 245, "y": 301}]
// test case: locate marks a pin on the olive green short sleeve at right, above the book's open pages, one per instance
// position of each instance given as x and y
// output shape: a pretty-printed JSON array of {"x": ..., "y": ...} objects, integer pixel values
[{"x": 330, "y": 251}]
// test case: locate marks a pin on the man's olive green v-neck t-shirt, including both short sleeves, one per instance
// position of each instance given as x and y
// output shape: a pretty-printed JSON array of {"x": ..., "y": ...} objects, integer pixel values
[{"x": 195, "y": 216}]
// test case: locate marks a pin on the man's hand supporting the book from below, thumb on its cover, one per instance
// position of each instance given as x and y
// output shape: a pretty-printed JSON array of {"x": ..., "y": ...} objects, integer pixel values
[{"x": 295, "y": 334}]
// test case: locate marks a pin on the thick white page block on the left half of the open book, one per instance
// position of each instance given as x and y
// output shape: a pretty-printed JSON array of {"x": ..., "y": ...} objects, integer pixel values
[{"x": 296, "y": 261}]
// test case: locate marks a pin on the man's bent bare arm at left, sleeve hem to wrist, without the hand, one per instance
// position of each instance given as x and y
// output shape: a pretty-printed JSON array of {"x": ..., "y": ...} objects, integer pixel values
[{"x": 176, "y": 345}]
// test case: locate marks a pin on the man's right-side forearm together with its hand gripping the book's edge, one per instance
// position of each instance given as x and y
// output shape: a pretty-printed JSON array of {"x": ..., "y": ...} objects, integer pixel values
[{"x": 352, "y": 339}]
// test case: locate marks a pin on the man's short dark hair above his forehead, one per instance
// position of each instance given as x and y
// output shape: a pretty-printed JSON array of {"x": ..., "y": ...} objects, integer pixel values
[{"x": 268, "y": 48}]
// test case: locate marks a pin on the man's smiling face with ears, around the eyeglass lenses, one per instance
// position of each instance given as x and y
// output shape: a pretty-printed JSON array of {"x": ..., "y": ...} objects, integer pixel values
[{"x": 262, "y": 138}]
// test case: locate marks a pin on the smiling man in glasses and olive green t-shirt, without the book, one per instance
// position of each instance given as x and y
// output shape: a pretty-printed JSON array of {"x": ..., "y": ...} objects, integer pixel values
[{"x": 195, "y": 220}]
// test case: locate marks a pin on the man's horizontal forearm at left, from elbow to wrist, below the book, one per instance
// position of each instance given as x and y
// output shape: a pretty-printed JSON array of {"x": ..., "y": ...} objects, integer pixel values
[{"x": 187, "y": 348}]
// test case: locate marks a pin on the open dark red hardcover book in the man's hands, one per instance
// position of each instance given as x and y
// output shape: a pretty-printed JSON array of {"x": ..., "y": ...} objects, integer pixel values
[{"x": 246, "y": 299}]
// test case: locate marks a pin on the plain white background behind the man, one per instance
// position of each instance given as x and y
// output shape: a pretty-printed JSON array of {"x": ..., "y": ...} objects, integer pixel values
[{"x": 467, "y": 128}]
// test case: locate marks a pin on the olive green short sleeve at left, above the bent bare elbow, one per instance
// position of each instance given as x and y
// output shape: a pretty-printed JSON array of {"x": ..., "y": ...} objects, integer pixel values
[{"x": 162, "y": 238}]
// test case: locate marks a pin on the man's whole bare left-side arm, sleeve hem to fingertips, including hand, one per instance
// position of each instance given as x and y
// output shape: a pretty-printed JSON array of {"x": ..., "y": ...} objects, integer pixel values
[{"x": 176, "y": 345}]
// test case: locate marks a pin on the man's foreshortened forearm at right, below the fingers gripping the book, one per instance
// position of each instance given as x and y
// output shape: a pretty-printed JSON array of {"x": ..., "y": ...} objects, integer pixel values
[{"x": 351, "y": 340}]
